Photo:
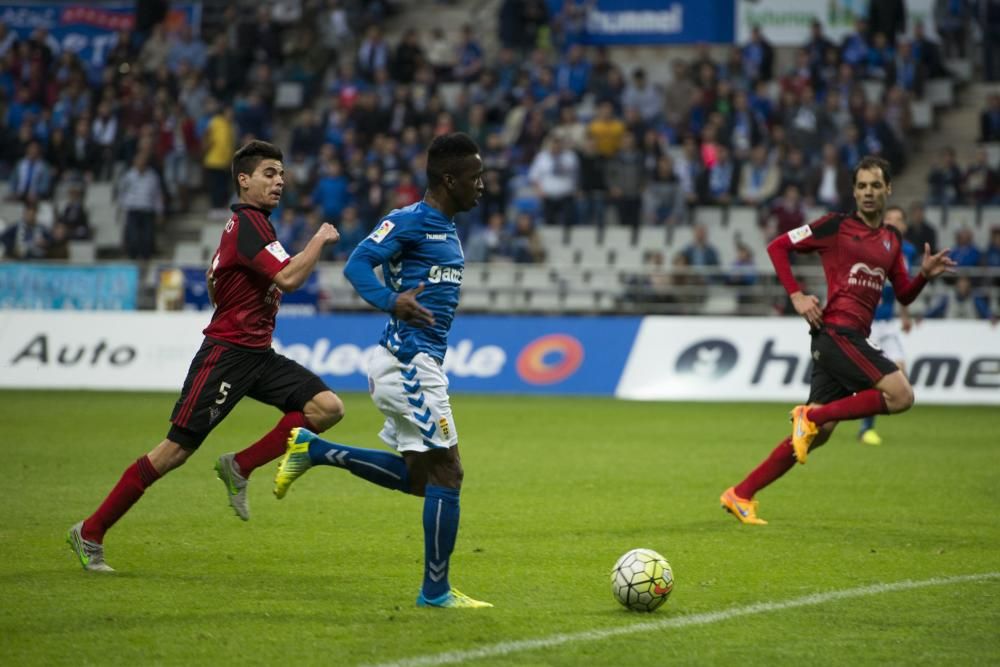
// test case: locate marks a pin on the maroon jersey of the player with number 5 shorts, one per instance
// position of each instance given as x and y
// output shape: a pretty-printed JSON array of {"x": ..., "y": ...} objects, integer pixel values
[{"x": 244, "y": 266}]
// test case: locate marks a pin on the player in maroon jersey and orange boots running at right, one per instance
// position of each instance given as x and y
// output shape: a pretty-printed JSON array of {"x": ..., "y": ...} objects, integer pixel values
[{"x": 850, "y": 378}]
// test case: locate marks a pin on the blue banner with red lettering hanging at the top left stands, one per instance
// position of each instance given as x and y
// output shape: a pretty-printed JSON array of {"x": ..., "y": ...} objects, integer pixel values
[{"x": 87, "y": 29}]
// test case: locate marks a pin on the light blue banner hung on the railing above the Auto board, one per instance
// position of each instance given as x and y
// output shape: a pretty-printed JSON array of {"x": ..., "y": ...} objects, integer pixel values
[{"x": 36, "y": 286}]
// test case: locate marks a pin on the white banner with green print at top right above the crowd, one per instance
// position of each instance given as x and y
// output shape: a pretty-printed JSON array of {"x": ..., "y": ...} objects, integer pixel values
[{"x": 787, "y": 22}]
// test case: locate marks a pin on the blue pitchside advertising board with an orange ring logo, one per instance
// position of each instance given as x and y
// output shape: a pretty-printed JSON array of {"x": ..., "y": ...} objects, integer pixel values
[{"x": 487, "y": 354}]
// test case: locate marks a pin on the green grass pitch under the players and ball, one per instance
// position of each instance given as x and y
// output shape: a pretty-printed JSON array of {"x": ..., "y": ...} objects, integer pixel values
[{"x": 556, "y": 490}]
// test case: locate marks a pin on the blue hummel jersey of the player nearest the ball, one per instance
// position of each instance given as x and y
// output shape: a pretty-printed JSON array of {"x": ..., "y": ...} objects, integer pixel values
[{"x": 414, "y": 245}]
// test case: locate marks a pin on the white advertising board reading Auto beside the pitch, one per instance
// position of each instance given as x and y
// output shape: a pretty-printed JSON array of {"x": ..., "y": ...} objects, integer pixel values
[{"x": 97, "y": 350}]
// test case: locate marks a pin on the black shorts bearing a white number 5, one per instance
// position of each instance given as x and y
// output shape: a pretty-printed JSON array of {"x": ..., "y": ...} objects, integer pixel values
[{"x": 221, "y": 375}]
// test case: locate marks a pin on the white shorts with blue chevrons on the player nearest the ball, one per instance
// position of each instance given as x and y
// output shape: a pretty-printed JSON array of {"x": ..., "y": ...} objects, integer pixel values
[{"x": 414, "y": 399}]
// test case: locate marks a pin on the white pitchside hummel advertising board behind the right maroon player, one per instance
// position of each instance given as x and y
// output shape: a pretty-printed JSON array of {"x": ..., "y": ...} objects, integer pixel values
[{"x": 764, "y": 359}]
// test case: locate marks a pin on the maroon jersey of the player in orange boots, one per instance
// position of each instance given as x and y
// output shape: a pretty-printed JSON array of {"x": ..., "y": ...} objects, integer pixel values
[{"x": 857, "y": 260}]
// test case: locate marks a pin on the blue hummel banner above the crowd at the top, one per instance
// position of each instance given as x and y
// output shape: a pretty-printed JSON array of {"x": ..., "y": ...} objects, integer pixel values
[{"x": 660, "y": 22}]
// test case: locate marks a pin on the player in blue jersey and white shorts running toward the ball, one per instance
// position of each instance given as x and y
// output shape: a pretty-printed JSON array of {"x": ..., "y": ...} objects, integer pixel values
[{"x": 422, "y": 263}]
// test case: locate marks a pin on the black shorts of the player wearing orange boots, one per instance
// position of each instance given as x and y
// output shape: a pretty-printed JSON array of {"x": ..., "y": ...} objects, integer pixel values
[{"x": 844, "y": 363}]
